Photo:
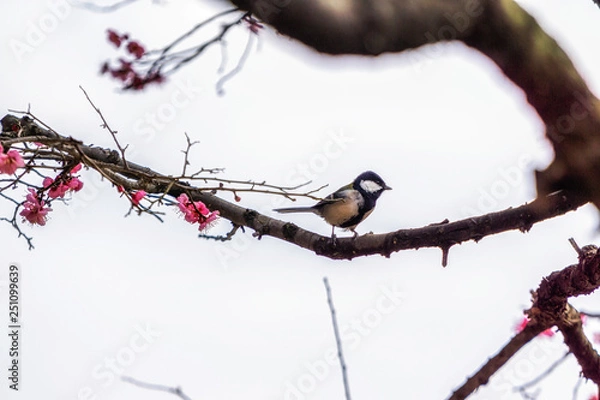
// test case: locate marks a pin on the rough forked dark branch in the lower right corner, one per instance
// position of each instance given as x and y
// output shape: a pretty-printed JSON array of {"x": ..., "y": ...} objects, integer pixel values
[{"x": 550, "y": 308}]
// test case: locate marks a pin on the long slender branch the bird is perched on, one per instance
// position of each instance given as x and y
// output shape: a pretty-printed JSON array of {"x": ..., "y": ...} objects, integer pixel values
[{"x": 136, "y": 177}]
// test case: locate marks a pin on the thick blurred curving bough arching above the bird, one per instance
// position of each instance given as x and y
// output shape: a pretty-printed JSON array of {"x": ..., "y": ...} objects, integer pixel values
[{"x": 501, "y": 30}]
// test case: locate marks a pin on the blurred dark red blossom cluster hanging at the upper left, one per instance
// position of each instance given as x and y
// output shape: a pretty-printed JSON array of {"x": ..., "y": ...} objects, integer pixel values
[{"x": 125, "y": 71}]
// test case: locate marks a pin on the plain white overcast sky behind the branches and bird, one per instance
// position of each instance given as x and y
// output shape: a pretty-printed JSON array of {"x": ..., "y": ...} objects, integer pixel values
[{"x": 248, "y": 319}]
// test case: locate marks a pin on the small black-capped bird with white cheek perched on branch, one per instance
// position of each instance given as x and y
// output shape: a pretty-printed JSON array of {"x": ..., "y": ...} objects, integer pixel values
[{"x": 349, "y": 205}]
